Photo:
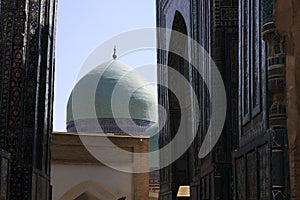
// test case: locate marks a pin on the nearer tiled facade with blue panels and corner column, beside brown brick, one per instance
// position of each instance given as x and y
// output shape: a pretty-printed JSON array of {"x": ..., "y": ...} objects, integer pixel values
[{"x": 256, "y": 24}]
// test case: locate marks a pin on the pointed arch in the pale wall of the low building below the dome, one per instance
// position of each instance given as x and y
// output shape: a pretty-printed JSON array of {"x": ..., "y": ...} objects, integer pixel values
[{"x": 89, "y": 188}]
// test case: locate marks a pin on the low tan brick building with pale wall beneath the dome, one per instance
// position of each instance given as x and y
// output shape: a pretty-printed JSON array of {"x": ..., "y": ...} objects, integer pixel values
[{"x": 77, "y": 175}]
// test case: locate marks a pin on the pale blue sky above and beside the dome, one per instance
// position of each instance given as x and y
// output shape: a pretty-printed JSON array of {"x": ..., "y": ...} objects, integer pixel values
[{"x": 82, "y": 26}]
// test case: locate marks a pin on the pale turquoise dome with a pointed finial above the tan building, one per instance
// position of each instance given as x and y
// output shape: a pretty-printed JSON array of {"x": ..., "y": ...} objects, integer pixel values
[{"x": 91, "y": 97}]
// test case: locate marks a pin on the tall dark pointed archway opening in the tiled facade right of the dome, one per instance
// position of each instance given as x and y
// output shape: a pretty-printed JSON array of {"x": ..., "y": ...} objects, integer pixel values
[{"x": 177, "y": 114}]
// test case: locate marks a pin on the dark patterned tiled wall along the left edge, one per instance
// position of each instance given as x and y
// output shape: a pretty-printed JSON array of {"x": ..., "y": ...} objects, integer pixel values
[{"x": 27, "y": 30}]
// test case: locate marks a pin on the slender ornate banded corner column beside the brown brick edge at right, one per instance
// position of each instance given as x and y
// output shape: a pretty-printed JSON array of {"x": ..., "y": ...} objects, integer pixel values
[{"x": 276, "y": 59}]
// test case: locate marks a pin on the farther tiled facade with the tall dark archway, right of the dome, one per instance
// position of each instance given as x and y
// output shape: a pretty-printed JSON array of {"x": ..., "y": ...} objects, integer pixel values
[{"x": 214, "y": 25}]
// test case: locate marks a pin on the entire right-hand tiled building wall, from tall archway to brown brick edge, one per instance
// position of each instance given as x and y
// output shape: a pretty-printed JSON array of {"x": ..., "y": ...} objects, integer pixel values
[{"x": 255, "y": 156}]
